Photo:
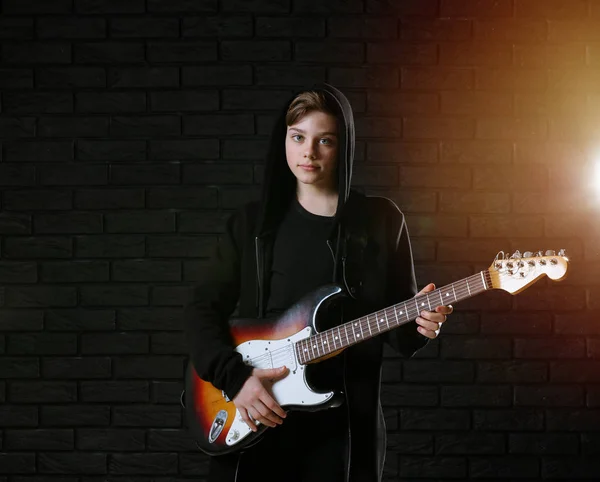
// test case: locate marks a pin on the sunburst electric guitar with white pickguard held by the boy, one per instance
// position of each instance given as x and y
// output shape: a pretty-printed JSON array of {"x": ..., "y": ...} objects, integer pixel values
[{"x": 294, "y": 341}]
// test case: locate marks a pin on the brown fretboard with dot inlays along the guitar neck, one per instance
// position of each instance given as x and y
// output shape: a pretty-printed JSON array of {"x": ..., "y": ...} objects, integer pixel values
[{"x": 363, "y": 328}]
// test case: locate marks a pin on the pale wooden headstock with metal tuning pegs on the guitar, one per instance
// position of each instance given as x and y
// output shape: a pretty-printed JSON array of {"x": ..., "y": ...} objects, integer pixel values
[{"x": 516, "y": 272}]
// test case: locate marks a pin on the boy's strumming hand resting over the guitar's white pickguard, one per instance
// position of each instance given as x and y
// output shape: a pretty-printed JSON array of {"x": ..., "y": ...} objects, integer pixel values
[{"x": 255, "y": 402}]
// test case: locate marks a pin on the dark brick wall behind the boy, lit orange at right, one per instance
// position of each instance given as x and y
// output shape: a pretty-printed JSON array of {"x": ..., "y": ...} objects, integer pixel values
[{"x": 131, "y": 128}]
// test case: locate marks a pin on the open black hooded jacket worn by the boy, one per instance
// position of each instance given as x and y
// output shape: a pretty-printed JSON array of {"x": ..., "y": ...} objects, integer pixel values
[{"x": 372, "y": 260}]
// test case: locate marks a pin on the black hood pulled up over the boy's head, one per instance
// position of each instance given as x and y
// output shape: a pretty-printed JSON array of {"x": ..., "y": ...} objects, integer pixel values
[{"x": 279, "y": 184}]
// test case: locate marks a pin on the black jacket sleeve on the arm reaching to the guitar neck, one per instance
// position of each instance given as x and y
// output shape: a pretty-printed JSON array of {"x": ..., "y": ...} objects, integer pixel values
[{"x": 402, "y": 285}]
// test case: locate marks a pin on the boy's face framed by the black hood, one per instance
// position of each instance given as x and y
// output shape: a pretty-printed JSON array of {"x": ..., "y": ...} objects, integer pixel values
[{"x": 311, "y": 147}]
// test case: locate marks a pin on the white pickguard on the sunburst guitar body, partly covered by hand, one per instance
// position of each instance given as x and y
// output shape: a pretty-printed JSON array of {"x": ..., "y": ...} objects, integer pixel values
[{"x": 291, "y": 390}]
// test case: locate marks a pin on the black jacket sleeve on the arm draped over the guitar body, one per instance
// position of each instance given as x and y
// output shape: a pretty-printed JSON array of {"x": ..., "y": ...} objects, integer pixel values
[{"x": 212, "y": 302}]
